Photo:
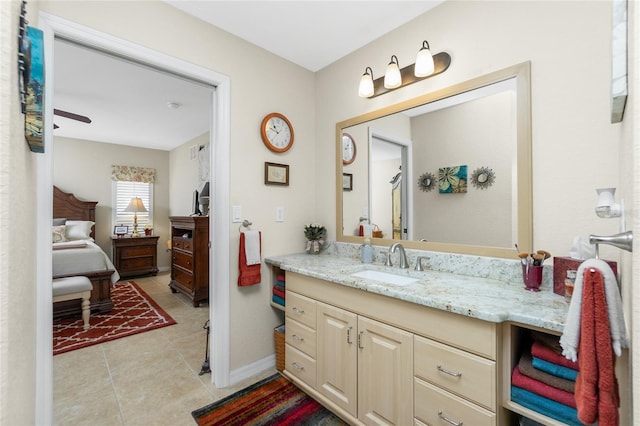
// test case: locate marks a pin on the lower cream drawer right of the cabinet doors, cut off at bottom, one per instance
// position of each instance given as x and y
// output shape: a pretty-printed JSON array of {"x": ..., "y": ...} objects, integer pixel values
[{"x": 434, "y": 406}]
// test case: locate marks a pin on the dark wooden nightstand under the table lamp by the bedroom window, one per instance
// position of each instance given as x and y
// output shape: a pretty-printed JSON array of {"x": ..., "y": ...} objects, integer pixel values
[{"x": 135, "y": 256}]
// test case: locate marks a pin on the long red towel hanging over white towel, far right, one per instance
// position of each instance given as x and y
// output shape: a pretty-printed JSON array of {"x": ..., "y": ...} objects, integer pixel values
[{"x": 597, "y": 397}]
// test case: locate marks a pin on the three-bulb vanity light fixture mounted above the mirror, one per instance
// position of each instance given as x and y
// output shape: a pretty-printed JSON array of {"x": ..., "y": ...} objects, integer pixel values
[{"x": 395, "y": 77}]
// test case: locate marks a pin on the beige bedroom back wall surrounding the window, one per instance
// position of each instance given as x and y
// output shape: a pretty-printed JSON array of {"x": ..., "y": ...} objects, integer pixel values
[{"x": 74, "y": 159}]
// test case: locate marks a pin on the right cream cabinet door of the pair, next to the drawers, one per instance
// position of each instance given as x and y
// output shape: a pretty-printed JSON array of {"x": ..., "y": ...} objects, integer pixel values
[{"x": 385, "y": 374}]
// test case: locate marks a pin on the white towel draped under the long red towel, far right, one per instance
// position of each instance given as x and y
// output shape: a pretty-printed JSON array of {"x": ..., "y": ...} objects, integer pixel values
[{"x": 570, "y": 339}]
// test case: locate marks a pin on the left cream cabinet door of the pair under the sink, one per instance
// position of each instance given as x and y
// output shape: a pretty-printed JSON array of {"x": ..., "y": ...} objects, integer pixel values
[{"x": 337, "y": 362}]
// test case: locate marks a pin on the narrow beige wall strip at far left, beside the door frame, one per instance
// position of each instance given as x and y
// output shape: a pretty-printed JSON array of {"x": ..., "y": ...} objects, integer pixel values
[{"x": 17, "y": 233}]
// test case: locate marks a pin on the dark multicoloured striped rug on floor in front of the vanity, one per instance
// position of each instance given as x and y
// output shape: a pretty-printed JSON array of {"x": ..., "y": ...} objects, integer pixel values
[{"x": 271, "y": 401}]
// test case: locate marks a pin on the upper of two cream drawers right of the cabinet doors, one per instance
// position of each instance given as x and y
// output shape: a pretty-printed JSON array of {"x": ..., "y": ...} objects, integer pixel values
[{"x": 460, "y": 372}]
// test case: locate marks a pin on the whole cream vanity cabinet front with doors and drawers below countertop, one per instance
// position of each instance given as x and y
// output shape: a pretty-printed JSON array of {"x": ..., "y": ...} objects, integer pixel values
[{"x": 380, "y": 360}]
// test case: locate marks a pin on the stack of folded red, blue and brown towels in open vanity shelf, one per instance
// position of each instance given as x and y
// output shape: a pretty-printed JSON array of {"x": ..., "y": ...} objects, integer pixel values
[{"x": 544, "y": 380}]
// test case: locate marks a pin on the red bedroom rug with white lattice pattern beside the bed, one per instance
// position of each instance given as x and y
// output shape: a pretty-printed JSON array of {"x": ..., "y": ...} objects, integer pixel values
[{"x": 134, "y": 312}]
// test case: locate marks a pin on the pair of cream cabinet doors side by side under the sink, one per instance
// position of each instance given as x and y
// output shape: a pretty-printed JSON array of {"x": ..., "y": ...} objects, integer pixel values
[{"x": 365, "y": 366}]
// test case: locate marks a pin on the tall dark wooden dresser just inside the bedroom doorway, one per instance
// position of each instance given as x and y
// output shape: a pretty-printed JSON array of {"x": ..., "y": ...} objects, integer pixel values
[{"x": 190, "y": 257}]
